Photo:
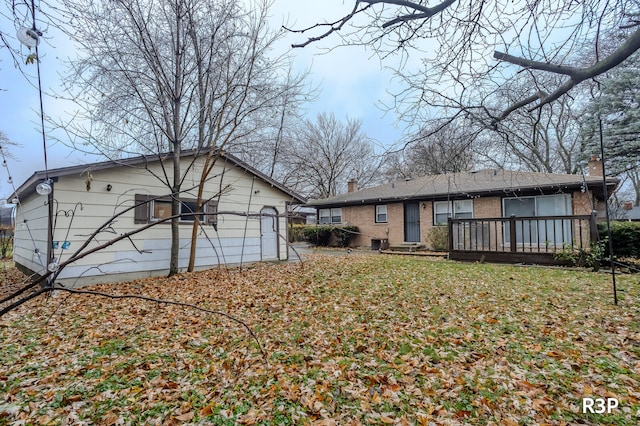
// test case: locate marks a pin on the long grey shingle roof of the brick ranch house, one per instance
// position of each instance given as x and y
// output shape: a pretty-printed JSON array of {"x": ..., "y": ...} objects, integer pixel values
[{"x": 467, "y": 184}]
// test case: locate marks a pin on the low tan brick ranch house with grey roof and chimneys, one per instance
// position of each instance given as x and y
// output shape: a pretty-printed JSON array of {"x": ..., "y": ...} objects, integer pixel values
[{"x": 406, "y": 211}]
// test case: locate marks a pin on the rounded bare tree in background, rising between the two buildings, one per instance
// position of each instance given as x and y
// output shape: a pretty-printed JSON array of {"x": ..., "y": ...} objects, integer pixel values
[{"x": 327, "y": 153}]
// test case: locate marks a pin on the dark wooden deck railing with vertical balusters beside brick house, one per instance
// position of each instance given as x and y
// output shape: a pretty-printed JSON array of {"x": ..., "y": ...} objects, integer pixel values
[{"x": 518, "y": 238}]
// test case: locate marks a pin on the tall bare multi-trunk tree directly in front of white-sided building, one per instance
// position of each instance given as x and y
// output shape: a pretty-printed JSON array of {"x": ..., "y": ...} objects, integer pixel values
[{"x": 158, "y": 77}]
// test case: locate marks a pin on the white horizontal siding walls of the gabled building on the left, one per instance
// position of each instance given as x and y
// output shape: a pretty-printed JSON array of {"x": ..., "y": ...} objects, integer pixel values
[{"x": 230, "y": 245}]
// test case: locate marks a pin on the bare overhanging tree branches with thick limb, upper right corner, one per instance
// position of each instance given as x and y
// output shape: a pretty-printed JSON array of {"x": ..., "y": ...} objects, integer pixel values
[{"x": 458, "y": 43}]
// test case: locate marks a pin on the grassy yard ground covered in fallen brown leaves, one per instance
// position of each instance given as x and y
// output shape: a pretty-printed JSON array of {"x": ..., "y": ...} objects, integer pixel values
[{"x": 349, "y": 340}]
